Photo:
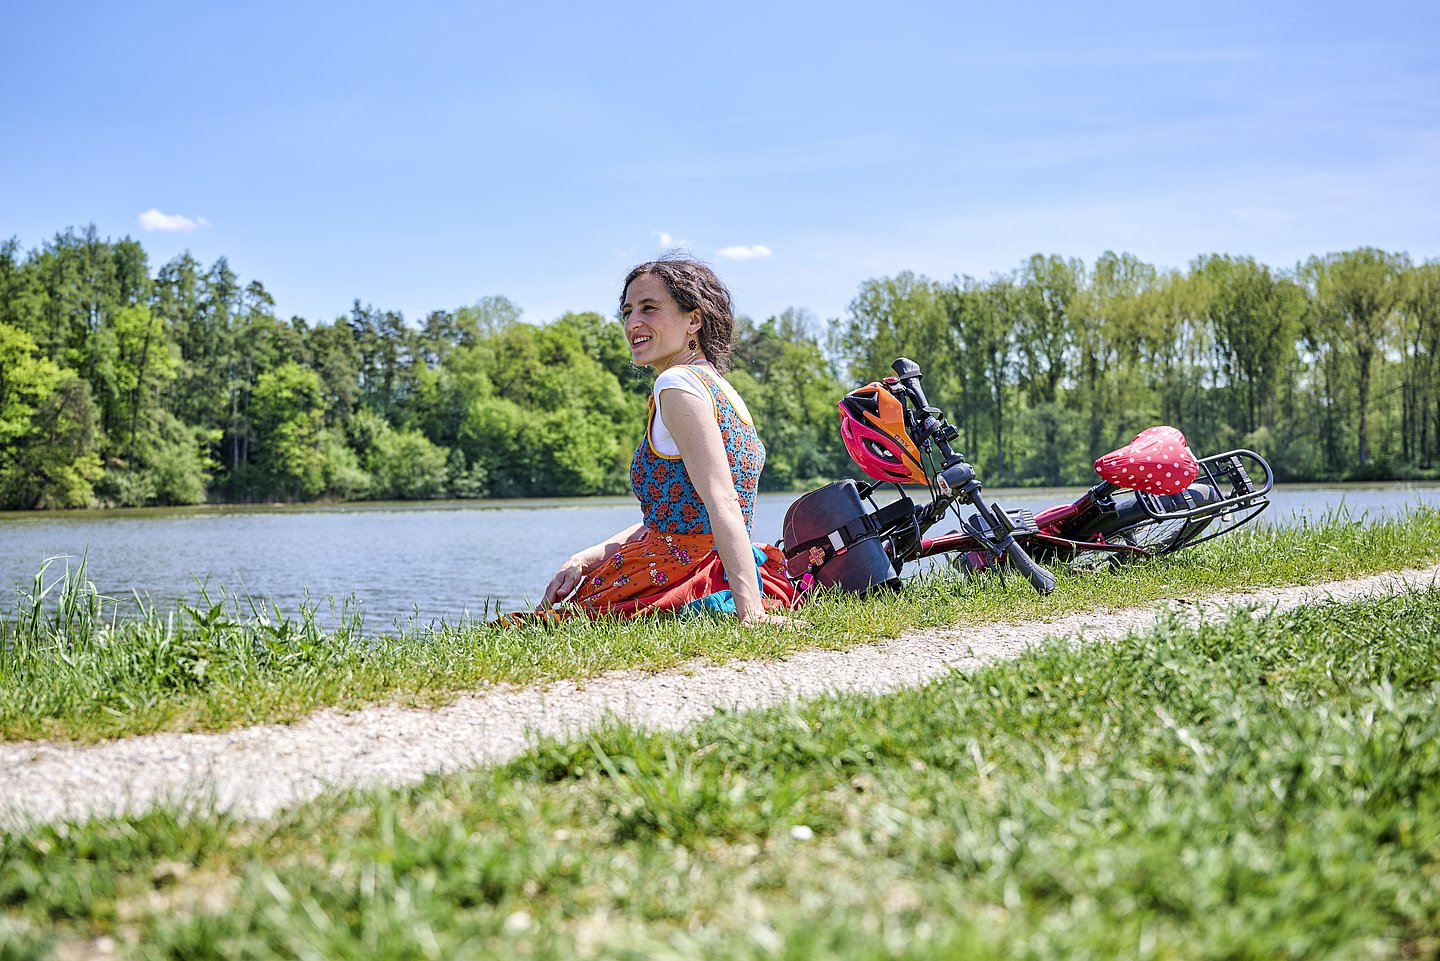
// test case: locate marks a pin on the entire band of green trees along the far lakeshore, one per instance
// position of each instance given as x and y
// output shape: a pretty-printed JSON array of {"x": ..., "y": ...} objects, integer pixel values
[{"x": 178, "y": 387}]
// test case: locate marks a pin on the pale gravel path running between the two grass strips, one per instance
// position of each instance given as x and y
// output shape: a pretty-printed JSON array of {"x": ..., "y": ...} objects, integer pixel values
[{"x": 257, "y": 772}]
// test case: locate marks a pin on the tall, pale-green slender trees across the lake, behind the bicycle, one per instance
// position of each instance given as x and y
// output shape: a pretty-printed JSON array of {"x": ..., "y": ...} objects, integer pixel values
[{"x": 1328, "y": 370}]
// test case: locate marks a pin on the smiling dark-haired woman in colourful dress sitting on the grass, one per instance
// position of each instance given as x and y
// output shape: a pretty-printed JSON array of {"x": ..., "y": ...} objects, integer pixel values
[{"x": 695, "y": 472}]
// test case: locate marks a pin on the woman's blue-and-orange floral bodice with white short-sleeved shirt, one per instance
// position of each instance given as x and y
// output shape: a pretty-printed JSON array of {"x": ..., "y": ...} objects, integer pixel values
[{"x": 667, "y": 496}]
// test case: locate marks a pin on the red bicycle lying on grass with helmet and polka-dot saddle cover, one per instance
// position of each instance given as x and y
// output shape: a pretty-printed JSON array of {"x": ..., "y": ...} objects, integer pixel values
[{"x": 1154, "y": 498}]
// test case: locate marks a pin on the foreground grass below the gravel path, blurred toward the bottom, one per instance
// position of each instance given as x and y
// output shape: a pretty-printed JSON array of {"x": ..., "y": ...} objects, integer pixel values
[{"x": 1258, "y": 789}]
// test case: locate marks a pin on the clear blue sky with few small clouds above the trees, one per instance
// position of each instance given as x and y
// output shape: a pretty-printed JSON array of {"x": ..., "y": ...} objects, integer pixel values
[{"x": 421, "y": 156}]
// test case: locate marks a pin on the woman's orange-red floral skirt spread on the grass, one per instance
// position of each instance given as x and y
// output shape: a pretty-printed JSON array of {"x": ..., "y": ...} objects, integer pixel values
[{"x": 670, "y": 573}]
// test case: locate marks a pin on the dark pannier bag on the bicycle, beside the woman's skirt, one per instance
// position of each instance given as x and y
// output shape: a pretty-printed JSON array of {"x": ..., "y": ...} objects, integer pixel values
[{"x": 830, "y": 535}]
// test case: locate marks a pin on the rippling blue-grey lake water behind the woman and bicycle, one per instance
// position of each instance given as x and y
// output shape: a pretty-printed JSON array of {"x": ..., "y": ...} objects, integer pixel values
[{"x": 423, "y": 561}]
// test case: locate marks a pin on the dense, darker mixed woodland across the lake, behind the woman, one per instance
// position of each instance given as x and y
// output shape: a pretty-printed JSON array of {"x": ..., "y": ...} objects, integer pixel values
[{"x": 122, "y": 387}]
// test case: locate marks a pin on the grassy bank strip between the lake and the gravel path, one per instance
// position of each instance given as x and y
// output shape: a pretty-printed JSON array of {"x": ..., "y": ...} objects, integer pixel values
[{"x": 71, "y": 668}]
